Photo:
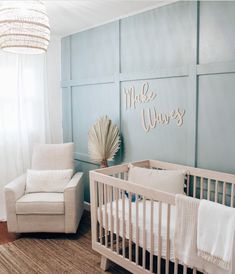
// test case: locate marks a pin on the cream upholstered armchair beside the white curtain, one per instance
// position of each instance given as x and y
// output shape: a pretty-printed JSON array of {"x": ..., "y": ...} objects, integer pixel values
[{"x": 46, "y": 211}]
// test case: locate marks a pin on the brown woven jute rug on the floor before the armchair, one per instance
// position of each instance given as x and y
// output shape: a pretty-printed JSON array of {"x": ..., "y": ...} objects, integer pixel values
[{"x": 53, "y": 254}]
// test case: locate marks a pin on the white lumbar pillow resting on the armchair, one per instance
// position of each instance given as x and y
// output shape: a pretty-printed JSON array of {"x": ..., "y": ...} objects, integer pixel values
[{"x": 47, "y": 180}]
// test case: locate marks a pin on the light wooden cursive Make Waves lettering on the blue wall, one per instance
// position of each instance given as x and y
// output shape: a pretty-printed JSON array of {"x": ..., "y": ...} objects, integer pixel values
[{"x": 150, "y": 116}]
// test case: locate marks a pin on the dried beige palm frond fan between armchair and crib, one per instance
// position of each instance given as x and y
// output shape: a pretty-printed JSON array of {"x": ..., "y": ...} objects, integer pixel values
[{"x": 103, "y": 140}]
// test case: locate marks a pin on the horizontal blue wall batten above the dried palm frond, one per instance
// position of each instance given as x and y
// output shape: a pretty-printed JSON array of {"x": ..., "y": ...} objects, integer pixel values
[{"x": 87, "y": 82}]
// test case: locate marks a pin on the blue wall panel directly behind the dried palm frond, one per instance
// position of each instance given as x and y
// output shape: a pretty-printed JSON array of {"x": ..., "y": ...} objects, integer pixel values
[{"x": 89, "y": 103}]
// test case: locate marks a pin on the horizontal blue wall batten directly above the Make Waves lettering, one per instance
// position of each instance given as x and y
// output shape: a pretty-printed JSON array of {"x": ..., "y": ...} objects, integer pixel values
[{"x": 158, "y": 74}]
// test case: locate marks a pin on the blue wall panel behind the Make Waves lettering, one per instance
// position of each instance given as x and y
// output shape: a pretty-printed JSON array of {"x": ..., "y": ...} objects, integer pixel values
[{"x": 168, "y": 142}]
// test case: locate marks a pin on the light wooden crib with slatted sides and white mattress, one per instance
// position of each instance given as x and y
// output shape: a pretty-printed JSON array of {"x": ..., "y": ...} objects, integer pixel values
[{"x": 139, "y": 235}]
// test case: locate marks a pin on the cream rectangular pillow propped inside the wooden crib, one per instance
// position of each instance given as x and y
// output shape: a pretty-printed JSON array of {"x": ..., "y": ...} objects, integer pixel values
[{"x": 165, "y": 180}]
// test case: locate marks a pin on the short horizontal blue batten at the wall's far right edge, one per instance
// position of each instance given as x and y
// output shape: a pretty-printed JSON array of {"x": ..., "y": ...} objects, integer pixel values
[{"x": 216, "y": 68}]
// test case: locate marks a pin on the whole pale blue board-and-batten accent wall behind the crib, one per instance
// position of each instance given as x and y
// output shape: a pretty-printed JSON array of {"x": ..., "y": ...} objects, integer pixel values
[{"x": 186, "y": 44}]
